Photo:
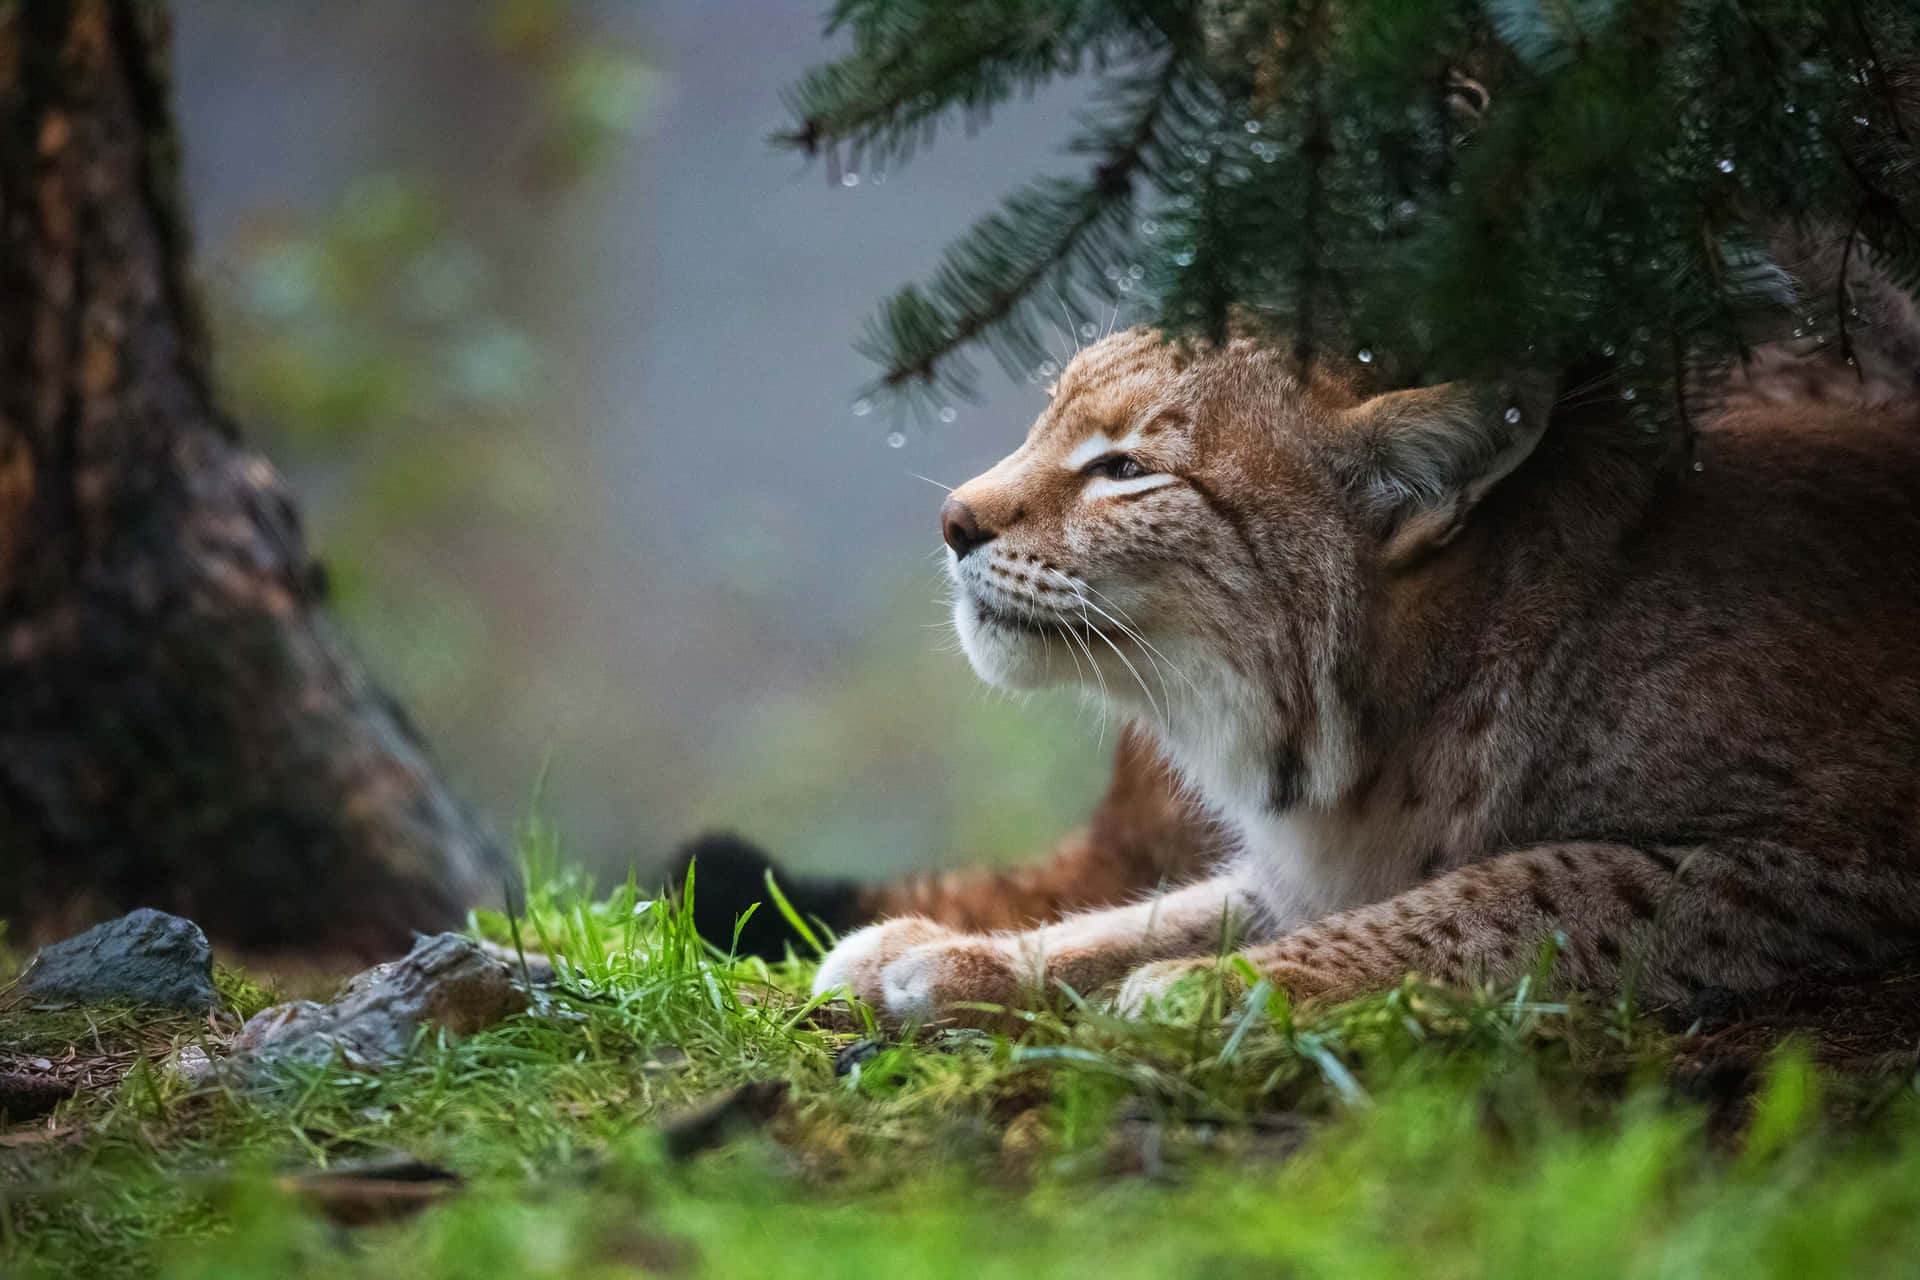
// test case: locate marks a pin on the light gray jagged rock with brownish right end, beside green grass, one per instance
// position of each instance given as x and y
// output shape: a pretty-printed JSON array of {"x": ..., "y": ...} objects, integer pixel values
[{"x": 446, "y": 982}]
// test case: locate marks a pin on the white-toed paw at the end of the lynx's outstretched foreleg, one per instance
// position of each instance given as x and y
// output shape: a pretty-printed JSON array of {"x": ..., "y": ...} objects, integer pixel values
[{"x": 913, "y": 970}]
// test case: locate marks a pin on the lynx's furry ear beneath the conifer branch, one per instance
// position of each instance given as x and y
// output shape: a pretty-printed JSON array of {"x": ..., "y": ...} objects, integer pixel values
[{"x": 1420, "y": 462}]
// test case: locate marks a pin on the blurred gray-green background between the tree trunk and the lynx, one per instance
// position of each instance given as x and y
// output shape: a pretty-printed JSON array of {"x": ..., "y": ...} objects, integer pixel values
[{"x": 558, "y": 354}]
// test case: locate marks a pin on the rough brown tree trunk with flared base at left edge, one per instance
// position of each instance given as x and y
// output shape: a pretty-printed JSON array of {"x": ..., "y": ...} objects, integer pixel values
[{"x": 181, "y": 726}]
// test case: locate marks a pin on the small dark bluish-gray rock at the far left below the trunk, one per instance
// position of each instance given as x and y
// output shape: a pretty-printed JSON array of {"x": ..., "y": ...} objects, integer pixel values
[{"x": 143, "y": 959}]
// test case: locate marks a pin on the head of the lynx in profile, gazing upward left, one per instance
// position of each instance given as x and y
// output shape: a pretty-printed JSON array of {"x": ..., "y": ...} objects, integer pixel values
[{"x": 1193, "y": 538}]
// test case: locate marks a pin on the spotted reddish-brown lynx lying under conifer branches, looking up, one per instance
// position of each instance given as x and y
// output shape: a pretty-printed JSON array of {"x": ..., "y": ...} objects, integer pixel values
[{"x": 1447, "y": 673}]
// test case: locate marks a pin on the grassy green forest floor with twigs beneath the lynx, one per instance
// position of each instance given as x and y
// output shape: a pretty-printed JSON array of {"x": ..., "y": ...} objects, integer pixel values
[{"x": 675, "y": 1112}]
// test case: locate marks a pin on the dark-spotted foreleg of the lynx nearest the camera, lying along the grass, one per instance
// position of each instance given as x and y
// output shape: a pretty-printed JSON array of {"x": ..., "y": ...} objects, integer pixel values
[{"x": 1664, "y": 920}]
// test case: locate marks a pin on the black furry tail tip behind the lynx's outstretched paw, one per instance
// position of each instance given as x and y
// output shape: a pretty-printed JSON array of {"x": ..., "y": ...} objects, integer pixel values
[{"x": 731, "y": 876}]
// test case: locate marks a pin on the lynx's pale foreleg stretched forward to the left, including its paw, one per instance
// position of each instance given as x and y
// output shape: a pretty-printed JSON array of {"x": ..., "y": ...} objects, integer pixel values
[{"x": 915, "y": 970}]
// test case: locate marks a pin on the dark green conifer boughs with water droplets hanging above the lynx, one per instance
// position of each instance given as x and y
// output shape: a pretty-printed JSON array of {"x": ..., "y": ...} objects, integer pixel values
[{"x": 1610, "y": 202}]
